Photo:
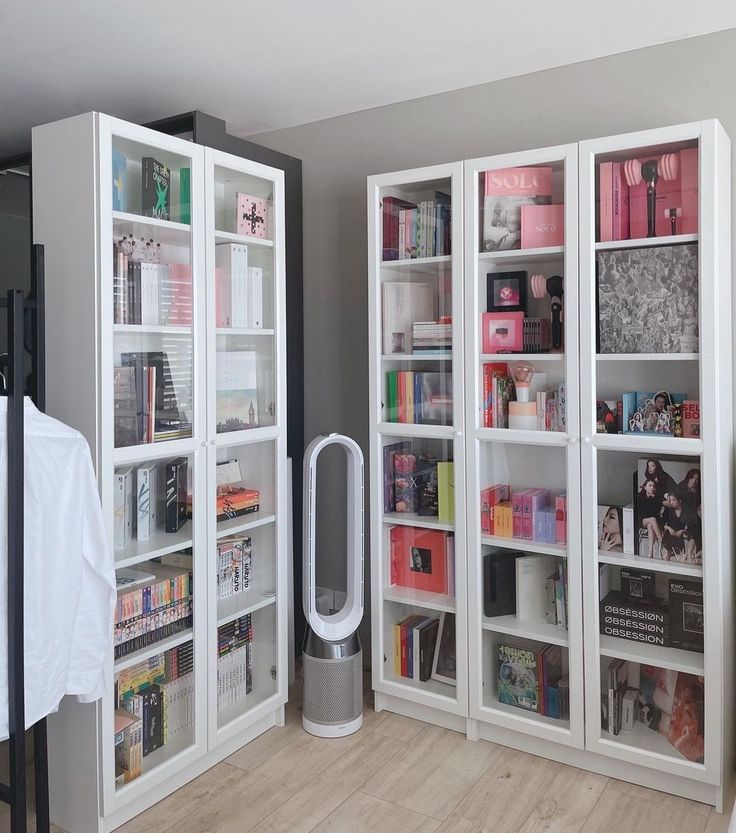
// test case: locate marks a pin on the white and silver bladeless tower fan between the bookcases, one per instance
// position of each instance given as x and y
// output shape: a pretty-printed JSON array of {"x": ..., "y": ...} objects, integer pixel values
[{"x": 332, "y": 657}]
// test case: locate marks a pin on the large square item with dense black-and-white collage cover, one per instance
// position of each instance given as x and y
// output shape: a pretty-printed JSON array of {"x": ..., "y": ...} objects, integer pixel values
[{"x": 648, "y": 300}]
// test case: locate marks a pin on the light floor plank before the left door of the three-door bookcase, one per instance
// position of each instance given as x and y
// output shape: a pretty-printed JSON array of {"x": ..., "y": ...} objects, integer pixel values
[{"x": 435, "y": 772}]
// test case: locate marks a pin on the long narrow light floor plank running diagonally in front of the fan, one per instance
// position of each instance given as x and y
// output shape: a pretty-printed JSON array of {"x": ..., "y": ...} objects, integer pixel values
[{"x": 331, "y": 786}]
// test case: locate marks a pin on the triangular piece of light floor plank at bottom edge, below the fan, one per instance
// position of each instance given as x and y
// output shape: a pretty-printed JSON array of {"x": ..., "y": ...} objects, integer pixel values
[{"x": 364, "y": 813}]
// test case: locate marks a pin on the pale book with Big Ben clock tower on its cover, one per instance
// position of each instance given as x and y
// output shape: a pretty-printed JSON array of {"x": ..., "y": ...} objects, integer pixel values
[{"x": 237, "y": 391}]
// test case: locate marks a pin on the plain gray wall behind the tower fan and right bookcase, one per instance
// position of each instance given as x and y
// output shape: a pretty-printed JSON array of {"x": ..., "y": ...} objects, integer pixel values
[{"x": 654, "y": 87}]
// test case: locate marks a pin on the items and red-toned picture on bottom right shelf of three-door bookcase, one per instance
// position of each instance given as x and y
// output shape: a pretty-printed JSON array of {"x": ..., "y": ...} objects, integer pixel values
[{"x": 671, "y": 703}]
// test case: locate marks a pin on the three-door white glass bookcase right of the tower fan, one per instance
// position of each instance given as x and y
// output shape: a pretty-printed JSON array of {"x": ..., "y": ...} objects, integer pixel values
[{"x": 681, "y": 742}]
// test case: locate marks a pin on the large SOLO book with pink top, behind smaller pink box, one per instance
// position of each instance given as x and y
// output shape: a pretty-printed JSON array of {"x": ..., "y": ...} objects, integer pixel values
[{"x": 506, "y": 190}]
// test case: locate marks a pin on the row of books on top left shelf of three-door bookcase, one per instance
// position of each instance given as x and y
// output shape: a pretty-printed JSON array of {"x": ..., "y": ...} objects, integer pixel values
[{"x": 411, "y": 230}]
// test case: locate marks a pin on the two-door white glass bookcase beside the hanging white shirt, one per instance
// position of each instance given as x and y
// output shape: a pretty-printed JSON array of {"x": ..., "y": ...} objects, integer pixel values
[{"x": 89, "y": 338}]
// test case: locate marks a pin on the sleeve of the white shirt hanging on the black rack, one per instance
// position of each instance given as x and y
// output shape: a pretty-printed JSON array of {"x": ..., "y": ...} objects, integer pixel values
[{"x": 93, "y": 624}]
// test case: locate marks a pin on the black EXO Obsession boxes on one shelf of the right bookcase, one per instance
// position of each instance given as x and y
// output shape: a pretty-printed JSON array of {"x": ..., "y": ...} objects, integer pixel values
[{"x": 637, "y": 613}]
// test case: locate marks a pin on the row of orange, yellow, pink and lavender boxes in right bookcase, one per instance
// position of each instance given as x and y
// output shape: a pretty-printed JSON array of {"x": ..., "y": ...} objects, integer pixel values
[{"x": 531, "y": 514}]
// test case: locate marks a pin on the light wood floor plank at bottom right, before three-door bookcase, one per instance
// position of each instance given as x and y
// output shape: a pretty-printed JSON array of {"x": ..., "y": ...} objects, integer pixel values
[{"x": 627, "y": 807}]
